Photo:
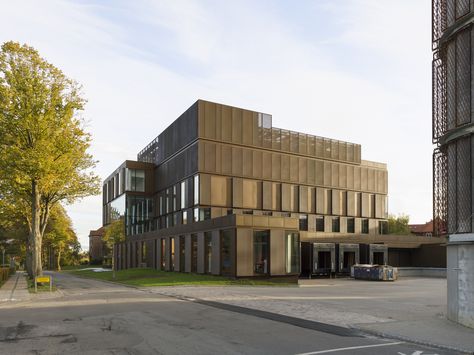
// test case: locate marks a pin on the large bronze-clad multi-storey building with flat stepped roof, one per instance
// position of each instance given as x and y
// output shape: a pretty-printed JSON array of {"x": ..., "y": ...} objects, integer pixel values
[{"x": 222, "y": 191}]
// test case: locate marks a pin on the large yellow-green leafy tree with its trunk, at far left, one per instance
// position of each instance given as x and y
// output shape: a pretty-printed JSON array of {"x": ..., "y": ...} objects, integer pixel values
[{"x": 43, "y": 143}]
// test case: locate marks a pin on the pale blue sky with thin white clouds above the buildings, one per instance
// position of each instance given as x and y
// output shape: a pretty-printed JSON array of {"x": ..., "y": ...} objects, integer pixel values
[{"x": 353, "y": 70}]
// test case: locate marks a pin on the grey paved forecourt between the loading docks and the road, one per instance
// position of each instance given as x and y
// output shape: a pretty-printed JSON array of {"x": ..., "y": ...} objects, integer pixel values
[{"x": 410, "y": 309}]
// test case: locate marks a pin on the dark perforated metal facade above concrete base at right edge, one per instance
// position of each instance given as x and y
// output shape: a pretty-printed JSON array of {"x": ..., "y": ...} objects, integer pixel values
[{"x": 453, "y": 103}]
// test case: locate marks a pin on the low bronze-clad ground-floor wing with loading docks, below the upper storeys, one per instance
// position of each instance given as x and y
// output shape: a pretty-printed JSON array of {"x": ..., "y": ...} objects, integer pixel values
[{"x": 264, "y": 246}]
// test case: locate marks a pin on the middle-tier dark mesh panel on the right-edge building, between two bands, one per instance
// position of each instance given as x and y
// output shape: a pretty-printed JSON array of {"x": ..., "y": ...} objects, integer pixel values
[{"x": 463, "y": 77}]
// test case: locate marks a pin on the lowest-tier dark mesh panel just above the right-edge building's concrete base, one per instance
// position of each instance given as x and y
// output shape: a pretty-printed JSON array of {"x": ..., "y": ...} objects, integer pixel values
[{"x": 463, "y": 177}]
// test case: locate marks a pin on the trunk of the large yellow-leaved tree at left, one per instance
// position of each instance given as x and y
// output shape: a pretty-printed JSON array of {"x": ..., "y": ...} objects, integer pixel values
[{"x": 36, "y": 237}]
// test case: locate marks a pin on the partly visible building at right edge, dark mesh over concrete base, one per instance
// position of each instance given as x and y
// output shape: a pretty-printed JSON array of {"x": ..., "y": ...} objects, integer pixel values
[{"x": 453, "y": 159}]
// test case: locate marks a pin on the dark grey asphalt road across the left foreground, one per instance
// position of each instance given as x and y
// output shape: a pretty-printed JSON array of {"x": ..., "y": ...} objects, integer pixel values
[{"x": 93, "y": 317}]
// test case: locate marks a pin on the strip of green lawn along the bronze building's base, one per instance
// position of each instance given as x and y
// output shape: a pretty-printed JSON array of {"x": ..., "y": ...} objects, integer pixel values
[{"x": 151, "y": 277}]
